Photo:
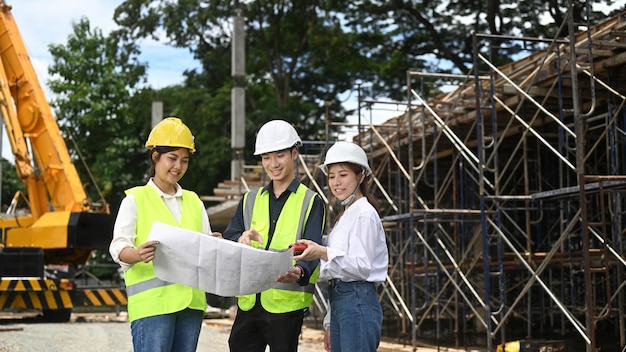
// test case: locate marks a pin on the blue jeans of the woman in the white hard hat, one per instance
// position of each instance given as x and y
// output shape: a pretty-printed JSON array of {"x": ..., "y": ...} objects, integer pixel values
[{"x": 355, "y": 317}]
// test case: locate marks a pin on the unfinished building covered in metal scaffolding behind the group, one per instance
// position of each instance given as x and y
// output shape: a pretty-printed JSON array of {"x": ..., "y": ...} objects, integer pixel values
[{"x": 504, "y": 199}]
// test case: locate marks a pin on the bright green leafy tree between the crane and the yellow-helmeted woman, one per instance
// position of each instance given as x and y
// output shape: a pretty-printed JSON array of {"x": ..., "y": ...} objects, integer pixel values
[{"x": 93, "y": 79}]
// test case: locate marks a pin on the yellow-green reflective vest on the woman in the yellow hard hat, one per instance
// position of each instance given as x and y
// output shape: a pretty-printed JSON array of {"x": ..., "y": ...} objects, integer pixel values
[{"x": 147, "y": 294}]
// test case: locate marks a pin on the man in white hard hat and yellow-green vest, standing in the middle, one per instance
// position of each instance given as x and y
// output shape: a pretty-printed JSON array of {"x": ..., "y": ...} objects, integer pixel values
[{"x": 272, "y": 218}]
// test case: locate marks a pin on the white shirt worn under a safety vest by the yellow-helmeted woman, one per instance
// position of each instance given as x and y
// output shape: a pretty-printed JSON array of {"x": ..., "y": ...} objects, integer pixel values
[{"x": 125, "y": 228}]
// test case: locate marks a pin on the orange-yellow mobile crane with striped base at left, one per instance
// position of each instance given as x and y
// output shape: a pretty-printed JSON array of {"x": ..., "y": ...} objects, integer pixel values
[{"x": 43, "y": 244}]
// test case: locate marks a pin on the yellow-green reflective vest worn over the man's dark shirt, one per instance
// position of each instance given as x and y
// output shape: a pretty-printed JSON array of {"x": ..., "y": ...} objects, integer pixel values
[{"x": 282, "y": 298}]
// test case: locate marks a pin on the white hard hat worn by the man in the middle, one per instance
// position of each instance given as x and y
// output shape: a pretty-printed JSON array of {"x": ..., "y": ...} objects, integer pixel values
[{"x": 276, "y": 135}]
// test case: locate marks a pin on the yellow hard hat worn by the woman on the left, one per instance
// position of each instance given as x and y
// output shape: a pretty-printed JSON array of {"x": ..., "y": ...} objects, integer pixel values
[{"x": 171, "y": 132}]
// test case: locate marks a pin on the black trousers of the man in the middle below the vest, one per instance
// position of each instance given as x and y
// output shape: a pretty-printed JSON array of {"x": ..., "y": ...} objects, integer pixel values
[{"x": 255, "y": 329}]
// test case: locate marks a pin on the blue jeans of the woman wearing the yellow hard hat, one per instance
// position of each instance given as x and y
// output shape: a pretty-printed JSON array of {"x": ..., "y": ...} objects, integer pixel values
[{"x": 168, "y": 332}]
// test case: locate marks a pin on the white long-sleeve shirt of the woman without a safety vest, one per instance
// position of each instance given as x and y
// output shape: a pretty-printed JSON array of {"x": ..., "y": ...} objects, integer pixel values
[{"x": 356, "y": 246}]
